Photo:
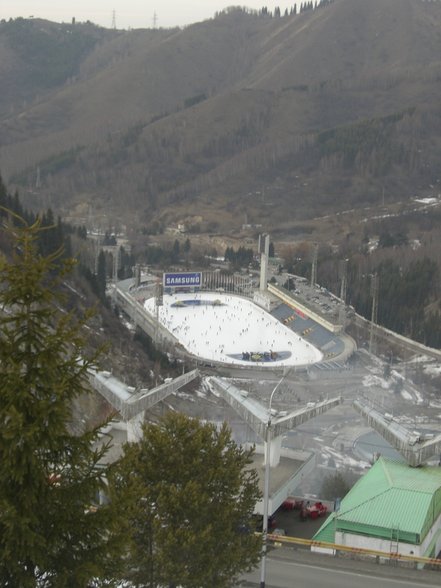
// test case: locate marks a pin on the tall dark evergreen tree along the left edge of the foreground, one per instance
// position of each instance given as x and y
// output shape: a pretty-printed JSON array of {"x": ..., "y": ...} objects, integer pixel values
[{"x": 50, "y": 535}]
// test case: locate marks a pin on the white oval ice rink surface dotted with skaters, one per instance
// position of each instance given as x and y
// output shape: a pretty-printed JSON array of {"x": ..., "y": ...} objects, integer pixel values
[{"x": 227, "y": 329}]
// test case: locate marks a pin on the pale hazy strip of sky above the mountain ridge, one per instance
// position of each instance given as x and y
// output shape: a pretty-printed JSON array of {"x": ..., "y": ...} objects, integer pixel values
[{"x": 128, "y": 13}]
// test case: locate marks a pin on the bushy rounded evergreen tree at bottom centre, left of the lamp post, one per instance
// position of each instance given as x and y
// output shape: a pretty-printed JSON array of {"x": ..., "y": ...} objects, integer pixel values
[{"x": 188, "y": 497}]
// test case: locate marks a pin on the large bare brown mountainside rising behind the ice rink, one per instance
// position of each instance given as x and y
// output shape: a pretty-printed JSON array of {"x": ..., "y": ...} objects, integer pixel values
[{"x": 274, "y": 118}]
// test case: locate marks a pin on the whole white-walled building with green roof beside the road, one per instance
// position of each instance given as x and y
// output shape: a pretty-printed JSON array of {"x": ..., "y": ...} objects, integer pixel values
[{"x": 393, "y": 508}]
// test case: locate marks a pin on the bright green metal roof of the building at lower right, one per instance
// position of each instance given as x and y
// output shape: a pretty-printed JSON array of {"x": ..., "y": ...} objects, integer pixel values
[{"x": 392, "y": 500}]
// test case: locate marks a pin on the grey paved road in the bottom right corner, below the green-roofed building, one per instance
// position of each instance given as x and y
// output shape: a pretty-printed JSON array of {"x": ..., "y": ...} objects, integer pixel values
[{"x": 288, "y": 573}]
